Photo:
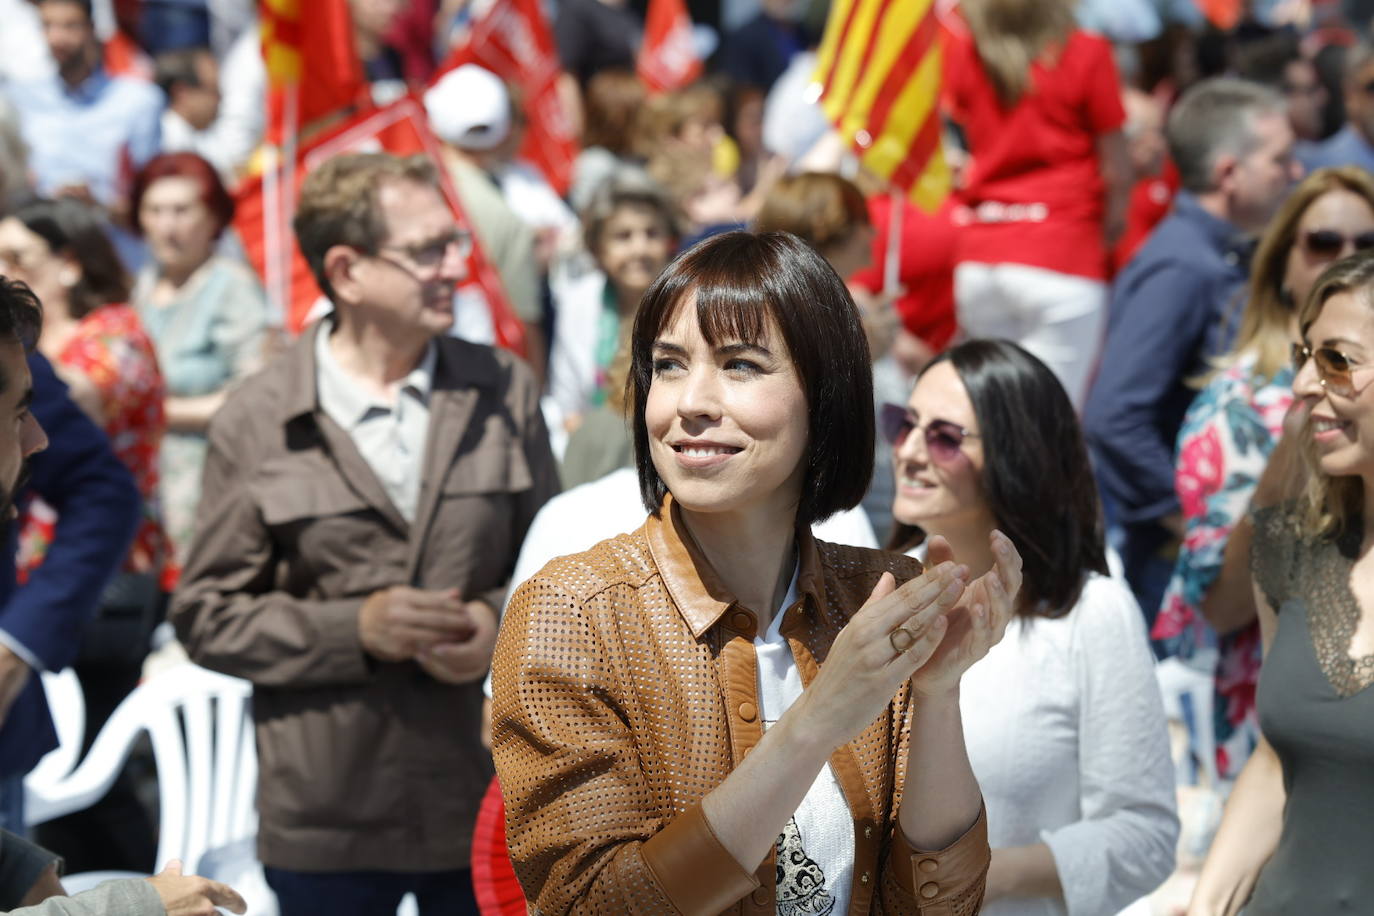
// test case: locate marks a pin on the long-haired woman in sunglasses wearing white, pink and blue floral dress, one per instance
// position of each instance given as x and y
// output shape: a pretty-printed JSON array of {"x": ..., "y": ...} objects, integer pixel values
[{"x": 1225, "y": 443}]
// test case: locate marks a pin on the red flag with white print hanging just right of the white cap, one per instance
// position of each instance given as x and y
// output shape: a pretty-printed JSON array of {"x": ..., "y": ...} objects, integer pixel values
[{"x": 513, "y": 41}]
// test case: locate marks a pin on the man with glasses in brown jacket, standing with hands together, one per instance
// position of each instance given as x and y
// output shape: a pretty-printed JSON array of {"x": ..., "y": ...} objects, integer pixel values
[{"x": 365, "y": 499}]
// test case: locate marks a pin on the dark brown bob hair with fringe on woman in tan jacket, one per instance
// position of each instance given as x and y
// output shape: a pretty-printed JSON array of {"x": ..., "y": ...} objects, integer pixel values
[{"x": 744, "y": 284}]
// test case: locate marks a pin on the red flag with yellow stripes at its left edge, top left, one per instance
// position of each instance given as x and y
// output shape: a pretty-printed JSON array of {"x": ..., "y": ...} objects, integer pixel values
[{"x": 313, "y": 57}]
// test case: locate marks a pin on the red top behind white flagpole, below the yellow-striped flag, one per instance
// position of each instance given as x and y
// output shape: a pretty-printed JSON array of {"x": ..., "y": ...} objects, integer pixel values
[{"x": 925, "y": 268}]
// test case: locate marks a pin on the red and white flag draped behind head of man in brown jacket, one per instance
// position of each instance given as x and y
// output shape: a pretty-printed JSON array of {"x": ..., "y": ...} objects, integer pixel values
[{"x": 399, "y": 128}]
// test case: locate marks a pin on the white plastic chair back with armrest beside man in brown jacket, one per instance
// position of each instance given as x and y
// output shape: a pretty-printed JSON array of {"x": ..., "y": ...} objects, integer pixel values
[{"x": 201, "y": 730}]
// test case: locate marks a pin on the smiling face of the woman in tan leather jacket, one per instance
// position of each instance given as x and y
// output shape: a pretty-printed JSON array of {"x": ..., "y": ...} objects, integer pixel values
[{"x": 728, "y": 424}]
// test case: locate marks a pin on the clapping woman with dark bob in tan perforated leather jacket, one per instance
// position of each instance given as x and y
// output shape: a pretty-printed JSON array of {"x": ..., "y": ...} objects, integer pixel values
[{"x": 719, "y": 707}]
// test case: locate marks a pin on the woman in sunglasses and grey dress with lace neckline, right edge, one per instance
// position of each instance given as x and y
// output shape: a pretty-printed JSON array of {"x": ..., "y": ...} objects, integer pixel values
[{"x": 1296, "y": 834}]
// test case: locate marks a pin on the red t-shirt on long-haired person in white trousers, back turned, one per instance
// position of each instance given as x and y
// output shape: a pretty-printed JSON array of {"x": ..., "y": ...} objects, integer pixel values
[{"x": 1034, "y": 193}]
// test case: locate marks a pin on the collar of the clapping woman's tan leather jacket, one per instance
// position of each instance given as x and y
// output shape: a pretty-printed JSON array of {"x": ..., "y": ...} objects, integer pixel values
[{"x": 699, "y": 593}]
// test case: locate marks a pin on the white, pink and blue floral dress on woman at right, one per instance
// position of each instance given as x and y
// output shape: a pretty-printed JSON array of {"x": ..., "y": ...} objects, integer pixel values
[{"x": 1224, "y": 447}]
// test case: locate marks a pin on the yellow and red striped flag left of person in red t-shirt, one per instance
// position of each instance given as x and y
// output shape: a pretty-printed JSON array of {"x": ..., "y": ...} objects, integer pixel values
[{"x": 879, "y": 73}]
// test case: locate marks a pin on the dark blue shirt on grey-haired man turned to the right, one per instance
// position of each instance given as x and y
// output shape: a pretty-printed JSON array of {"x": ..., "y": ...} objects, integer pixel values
[{"x": 1177, "y": 304}]
